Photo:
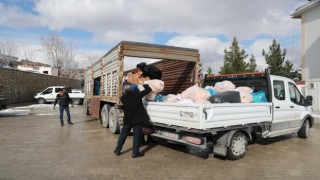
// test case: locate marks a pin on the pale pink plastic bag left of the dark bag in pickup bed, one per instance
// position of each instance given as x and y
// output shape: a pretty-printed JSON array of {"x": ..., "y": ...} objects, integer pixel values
[{"x": 197, "y": 94}]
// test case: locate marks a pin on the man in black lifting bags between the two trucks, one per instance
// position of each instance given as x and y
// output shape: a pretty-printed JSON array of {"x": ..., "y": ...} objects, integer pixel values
[{"x": 134, "y": 116}]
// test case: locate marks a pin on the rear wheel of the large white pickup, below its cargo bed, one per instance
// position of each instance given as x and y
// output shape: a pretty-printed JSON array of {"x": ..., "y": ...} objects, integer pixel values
[{"x": 238, "y": 146}]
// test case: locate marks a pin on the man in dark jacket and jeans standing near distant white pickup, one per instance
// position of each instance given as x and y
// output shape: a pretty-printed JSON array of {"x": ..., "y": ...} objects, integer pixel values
[{"x": 64, "y": 100}]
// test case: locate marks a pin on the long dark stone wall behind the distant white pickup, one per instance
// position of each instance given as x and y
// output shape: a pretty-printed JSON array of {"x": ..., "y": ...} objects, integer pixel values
[{"x": 21, "y": 86}]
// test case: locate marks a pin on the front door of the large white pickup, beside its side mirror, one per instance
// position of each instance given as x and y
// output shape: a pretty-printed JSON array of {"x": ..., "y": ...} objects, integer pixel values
[{"x": 297, "y": 105}]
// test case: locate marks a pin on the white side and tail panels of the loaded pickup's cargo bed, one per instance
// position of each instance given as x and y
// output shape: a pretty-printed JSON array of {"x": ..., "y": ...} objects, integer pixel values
[{"x": 207, "y": 116}]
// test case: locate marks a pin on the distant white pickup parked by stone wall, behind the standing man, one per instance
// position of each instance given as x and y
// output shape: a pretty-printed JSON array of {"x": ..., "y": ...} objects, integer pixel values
[{"x": 49, "y": 95}]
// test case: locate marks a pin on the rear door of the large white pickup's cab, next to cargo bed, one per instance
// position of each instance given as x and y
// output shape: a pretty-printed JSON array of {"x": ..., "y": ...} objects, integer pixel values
[{"x": 282, "y": 112}]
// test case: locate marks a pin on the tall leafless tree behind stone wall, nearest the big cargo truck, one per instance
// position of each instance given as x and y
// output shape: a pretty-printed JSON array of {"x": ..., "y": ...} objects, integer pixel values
[{"x": 59, "y": 52}]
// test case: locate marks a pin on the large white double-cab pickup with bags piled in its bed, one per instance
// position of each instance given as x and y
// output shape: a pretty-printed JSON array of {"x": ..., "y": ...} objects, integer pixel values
[{"x": 230, "y": 126}]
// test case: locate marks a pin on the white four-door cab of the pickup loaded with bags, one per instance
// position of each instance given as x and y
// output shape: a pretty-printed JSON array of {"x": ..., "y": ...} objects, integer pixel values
[{"x": 290, "y": 108}]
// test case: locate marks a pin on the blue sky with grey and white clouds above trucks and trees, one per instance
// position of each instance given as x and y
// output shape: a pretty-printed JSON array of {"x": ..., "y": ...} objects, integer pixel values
[{"x": 207, "y": 25}]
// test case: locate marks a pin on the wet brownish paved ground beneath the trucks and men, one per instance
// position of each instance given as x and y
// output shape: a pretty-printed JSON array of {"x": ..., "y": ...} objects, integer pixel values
[{"x": 34, "y": 146}]
